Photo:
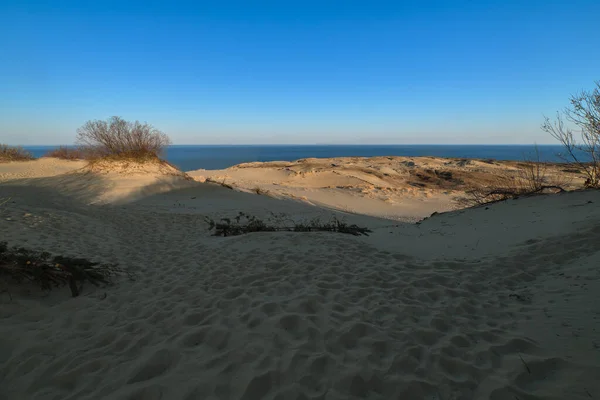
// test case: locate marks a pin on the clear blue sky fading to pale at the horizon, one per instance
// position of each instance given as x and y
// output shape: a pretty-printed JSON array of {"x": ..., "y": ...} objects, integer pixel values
[{"x": 302, "y": 72}]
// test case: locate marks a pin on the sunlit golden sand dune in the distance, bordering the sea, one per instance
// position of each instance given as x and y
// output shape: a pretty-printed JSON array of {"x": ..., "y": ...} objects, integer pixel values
[{"x": 400, "y": 188}]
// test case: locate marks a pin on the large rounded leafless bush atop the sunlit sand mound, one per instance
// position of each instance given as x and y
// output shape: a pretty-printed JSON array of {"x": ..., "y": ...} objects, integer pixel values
[{"x": 116, "y": 138}]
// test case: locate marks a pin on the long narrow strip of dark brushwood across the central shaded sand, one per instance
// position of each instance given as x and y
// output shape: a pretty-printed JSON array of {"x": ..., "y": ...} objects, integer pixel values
[{"x": 244, "y": 223}]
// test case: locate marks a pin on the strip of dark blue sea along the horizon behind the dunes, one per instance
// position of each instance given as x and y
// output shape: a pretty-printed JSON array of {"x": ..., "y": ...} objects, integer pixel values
[{"x": 192, "y": 157}]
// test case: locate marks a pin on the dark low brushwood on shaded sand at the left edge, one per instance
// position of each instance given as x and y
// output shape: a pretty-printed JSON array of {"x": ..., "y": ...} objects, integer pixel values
[{"x": 22, "y": 265}]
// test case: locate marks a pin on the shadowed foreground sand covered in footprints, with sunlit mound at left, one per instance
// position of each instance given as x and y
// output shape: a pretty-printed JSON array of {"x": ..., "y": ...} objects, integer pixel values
[{"x": 488, "y": 303}]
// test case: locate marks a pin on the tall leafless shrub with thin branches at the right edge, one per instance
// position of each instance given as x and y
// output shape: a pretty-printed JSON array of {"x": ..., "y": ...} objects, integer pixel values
[{"x": 584, "y": 116}]
